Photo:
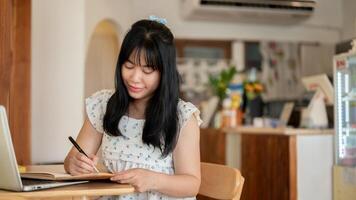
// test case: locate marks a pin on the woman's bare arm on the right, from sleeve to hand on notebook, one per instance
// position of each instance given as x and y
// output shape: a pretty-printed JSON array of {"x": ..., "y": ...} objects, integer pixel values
[{"x": 186, "y": 157}]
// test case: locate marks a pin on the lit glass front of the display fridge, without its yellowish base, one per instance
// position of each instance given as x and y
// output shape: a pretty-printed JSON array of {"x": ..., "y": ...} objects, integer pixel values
[{"x": 345, "y": 109}]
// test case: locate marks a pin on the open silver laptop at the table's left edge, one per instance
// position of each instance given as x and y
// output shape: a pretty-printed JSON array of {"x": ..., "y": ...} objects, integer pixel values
[{"x": 9, "y": 174}]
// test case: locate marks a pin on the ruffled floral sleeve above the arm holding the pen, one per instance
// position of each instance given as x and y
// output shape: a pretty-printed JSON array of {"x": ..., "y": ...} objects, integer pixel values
[{"x": 95, "y": 107}]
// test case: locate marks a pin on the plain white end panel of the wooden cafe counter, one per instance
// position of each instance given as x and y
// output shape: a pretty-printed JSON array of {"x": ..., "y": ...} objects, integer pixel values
[{"x": 314, "y": 167}]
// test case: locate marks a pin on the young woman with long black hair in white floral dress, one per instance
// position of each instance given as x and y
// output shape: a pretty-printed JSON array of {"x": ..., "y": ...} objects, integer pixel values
[{"x": 149, "y": 137}]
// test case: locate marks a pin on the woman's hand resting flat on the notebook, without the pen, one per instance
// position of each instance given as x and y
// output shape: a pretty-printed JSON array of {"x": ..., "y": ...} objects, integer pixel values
[{"x": 141, "y": 179}]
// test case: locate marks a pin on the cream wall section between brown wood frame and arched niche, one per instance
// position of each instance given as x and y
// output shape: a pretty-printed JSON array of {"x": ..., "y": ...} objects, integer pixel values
[{"x": 57, "y": 84}]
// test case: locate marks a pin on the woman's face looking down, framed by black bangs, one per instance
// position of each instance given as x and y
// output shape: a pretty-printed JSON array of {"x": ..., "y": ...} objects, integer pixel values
[{"x": 141, "y": 81}]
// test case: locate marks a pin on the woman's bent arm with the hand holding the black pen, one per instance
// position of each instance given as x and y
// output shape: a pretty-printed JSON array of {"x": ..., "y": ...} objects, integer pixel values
[{"x": 89, "y": 140}]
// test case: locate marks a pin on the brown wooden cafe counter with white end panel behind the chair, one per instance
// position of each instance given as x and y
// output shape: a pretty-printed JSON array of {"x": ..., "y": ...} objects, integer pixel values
[{"x": 277, "y": 163}]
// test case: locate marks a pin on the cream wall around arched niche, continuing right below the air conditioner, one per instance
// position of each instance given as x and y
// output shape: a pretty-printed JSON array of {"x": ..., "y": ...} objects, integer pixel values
[{"x": 61, "y": 32}]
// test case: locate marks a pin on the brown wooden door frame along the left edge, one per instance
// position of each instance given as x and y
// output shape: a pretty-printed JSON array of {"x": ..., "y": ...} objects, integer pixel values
[{"x": 15, "y": 72}]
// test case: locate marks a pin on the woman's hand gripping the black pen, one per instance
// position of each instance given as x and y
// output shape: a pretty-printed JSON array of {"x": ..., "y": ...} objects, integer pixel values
[{"x": 78, "y": 163}]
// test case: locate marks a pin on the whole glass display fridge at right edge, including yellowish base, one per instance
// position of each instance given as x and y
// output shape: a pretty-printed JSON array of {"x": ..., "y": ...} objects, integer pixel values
[{"x": 344, "y": 170}]
